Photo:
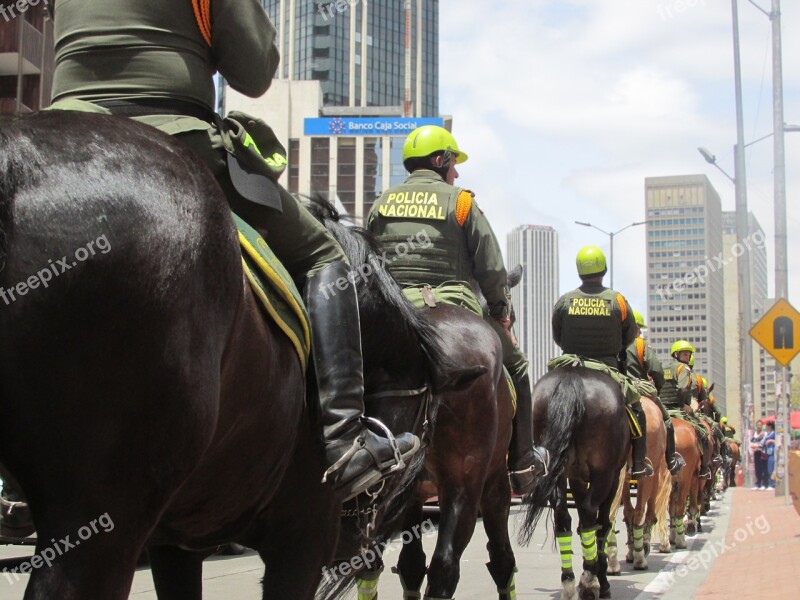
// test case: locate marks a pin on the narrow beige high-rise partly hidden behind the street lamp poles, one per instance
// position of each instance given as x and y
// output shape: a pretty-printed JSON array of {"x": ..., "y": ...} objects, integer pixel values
[{"x": 754, "y": 249}]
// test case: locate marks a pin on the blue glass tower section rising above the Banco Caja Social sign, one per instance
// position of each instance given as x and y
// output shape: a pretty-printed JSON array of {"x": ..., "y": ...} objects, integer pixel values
[{"x": 360, "y": 51}]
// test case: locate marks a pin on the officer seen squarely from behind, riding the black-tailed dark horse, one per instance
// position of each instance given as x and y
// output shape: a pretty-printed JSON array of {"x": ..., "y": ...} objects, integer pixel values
[{"x": 596, "y": 322}]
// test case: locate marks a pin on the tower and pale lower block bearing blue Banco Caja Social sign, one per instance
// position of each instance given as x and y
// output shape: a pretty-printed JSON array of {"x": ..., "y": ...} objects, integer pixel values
[{"x": 375, "y": 66}]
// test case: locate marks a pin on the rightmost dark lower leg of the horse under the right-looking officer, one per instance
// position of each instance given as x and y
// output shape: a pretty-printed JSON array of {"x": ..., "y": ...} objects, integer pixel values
[{"x": 495, "y": 505}]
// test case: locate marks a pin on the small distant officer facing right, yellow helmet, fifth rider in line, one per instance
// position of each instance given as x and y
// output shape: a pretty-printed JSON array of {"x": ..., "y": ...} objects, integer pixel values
[{"x": 679, "y": 386}]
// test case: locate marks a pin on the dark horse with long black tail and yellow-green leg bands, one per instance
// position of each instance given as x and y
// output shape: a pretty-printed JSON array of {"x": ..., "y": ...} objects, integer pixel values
[{"x": 579, "y": 416}]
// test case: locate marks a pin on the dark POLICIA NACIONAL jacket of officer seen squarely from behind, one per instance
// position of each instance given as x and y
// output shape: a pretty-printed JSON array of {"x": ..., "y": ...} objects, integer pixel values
[{"x": 594, "y": 321}]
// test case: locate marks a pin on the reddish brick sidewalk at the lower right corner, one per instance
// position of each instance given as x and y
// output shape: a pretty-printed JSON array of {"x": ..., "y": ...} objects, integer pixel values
[{"x": 762, "y": 550}]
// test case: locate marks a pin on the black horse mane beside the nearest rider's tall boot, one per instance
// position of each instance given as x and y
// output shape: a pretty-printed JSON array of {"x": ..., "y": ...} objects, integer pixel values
[{"x": 381, "y": 292}]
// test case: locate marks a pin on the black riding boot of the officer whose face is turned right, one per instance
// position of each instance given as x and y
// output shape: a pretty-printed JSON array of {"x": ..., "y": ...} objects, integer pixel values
[{"x": 526, "y": 462}]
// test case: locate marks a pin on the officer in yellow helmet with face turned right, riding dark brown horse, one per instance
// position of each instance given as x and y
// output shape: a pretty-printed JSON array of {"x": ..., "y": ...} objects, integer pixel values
[{"x": 462, "y": 247}]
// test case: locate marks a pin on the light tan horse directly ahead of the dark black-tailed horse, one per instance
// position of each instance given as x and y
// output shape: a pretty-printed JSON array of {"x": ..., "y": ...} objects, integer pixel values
[{"x": 652, "y": 497}]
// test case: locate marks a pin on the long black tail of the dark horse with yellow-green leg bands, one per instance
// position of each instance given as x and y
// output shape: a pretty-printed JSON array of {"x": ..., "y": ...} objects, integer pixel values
[{"x": 566, "y": 408}]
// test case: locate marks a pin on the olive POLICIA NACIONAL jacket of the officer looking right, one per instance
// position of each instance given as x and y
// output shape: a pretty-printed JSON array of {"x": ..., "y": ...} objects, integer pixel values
[{"x": 433, "y": 233}]
